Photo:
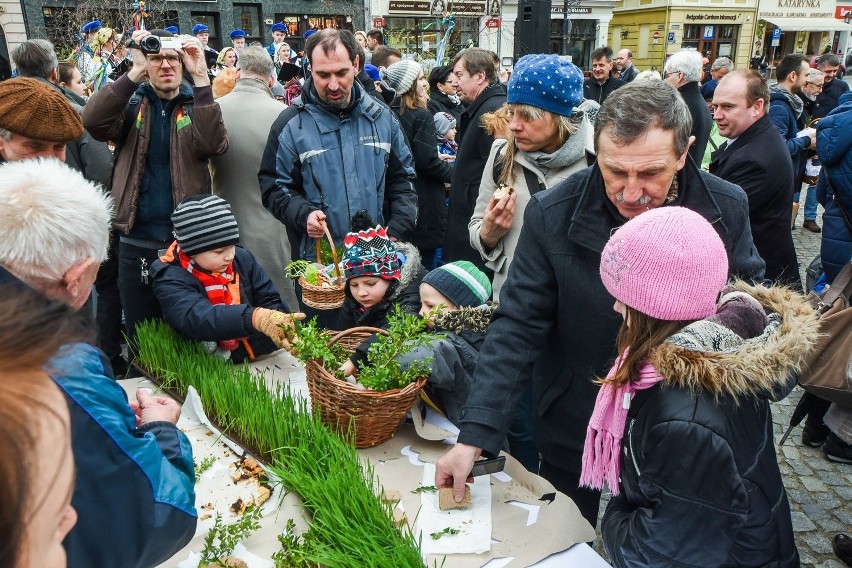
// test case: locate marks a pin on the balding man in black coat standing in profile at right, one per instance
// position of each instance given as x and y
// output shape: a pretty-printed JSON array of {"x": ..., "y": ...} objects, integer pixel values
[{"x": 759, "y": 162}]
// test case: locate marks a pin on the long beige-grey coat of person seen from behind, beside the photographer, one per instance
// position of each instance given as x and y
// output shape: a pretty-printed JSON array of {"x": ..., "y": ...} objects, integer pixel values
[{"x": 248, "y": 112}]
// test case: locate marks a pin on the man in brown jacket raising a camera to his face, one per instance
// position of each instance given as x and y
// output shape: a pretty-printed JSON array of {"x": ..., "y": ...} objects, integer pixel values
[{"x": 165, "y": 129}]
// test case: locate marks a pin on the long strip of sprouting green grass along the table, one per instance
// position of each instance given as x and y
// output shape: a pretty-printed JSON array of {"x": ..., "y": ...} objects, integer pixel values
[{"x": 350, "y": 525}]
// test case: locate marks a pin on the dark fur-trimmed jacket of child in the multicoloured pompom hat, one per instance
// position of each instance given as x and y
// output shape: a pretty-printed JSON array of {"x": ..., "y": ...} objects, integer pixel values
[{"x": 405, "y": 294}]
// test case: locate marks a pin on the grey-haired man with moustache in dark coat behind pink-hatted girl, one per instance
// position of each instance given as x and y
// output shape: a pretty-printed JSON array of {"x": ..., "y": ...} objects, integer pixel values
[{"x": 555, "y": 313}]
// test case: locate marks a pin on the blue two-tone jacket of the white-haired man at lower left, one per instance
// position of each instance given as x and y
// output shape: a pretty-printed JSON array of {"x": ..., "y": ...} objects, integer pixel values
[{"x": 135, "y": 487}]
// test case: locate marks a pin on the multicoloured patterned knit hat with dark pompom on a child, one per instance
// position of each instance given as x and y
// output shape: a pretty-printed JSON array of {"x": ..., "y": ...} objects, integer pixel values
[{"x": 370, "y": 253}]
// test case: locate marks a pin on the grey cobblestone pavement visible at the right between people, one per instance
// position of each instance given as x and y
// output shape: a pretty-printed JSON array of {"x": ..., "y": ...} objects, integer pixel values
[{"x": 820, "y": 492}]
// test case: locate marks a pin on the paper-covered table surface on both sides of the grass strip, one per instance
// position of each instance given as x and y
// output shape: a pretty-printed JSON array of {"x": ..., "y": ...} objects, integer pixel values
[{"x": 516, "y": 518}]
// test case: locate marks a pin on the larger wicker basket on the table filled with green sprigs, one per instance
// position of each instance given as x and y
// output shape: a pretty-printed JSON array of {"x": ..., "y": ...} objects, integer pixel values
[{"x": 375, "y": 415}]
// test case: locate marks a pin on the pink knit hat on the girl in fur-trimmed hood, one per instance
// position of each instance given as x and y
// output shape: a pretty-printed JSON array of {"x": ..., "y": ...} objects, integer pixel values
[{"x": 667, "y": 263}]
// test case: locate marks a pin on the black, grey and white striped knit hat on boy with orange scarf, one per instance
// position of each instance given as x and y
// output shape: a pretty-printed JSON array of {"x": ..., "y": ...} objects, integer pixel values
[{"x": 204, "y": 222}]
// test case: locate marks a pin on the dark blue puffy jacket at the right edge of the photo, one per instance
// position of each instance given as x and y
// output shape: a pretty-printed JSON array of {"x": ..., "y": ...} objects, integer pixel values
[{"x": 834, "y": 145}]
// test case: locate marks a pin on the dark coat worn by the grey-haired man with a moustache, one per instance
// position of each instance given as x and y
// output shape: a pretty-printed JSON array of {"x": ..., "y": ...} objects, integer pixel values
[{"x": 556, "y": 315}]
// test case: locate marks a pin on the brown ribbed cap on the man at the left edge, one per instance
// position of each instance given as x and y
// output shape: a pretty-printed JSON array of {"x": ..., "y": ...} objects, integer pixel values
[{"x": 36, "y": 110}]
